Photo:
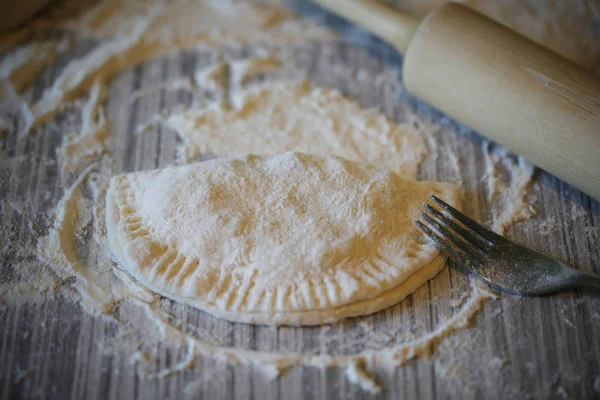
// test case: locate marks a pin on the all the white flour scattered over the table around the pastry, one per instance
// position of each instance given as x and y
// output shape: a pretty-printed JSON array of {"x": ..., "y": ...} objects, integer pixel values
[{"x": 246, "y": 117}]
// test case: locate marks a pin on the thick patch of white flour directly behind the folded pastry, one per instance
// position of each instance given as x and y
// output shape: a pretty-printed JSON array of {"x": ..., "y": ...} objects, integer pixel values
[{"x": 293, "y": 116}]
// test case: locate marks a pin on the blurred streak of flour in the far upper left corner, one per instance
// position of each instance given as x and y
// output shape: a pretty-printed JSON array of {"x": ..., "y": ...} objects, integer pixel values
[{"x": 136, "y": 31}]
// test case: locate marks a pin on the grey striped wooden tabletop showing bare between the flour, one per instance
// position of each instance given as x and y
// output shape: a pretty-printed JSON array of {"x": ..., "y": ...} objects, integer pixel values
[{"x": 547, "y": 347}]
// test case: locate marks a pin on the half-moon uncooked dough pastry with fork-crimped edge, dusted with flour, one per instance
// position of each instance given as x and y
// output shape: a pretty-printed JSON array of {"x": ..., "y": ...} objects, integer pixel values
[{"x": 291, "y": 239}]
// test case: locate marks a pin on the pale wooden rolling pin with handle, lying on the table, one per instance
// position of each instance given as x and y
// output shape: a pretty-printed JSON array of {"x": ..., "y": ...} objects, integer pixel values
[{"x": 509, "y": 88}]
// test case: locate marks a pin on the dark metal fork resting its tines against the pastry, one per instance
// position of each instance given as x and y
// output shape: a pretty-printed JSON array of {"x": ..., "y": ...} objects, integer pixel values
[{"x": 499, "y": 262}]
